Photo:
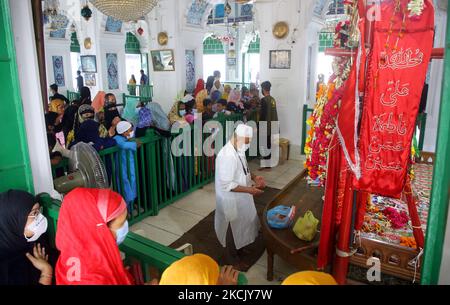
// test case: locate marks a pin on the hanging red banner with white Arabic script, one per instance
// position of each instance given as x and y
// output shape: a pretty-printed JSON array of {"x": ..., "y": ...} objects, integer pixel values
[{"x": 397, "y": 68}]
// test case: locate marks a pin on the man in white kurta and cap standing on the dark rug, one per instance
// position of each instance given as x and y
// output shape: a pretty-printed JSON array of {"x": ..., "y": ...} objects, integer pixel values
[{"x": 236, "y": 221}]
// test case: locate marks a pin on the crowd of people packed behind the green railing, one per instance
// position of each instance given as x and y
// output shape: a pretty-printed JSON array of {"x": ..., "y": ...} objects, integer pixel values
[{"x": 95, "y": 121}]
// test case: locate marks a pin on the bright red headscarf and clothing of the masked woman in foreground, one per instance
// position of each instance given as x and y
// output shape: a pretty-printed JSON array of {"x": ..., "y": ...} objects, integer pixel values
[{"x": 89, "y": 252}]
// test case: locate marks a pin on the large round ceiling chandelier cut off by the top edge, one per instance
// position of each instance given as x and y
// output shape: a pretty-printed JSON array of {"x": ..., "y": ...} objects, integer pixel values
[{"x": 125, "y": 10}]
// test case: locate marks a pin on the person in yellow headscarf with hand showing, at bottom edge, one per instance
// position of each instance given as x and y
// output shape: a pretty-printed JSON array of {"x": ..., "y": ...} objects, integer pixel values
[{"x": 198, "y": 269}]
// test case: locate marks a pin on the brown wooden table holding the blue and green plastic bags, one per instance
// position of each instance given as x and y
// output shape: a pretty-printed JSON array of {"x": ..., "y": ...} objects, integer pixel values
[{"x": 284, "y": 243}]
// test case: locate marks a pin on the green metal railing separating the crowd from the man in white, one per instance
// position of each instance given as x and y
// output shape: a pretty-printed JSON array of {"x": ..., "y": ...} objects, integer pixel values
[{"x": 161, "y": 177}]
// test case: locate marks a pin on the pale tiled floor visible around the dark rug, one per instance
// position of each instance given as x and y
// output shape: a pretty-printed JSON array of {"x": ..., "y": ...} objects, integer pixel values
[{"x": 178, "y": 218}]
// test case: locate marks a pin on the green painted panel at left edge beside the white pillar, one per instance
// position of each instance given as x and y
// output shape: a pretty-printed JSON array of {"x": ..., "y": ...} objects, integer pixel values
[{"x": 15, "y": 169}]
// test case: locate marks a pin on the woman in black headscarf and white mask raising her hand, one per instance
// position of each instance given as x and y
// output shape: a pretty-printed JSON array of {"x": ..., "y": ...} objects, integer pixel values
[{"x": 22, "y": 259}]
